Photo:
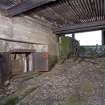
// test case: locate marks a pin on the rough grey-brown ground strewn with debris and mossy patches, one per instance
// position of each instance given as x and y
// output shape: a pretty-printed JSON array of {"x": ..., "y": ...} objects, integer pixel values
[{"x": 76, "y": 82}]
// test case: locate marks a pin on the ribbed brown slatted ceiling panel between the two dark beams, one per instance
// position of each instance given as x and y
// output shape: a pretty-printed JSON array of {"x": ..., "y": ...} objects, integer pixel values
[{"x": 67, "y": 13}]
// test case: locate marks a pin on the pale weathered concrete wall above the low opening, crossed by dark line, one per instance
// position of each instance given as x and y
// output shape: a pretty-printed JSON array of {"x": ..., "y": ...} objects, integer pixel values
[{"x": 26, "y": 29}]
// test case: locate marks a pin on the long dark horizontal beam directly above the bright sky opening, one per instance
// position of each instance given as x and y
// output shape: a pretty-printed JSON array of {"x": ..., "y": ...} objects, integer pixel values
[{"x": 99, "y": 25}]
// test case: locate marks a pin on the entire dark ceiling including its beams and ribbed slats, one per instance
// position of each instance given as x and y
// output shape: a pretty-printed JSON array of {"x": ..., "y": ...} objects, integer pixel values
[{"x": 67, "y": 16}]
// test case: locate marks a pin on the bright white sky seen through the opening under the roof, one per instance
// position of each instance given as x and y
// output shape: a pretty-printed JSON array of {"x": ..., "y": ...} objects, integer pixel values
[{"x": 89, "y": 38}]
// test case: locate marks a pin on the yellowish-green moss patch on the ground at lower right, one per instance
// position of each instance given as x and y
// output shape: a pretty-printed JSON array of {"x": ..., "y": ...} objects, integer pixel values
[{"x": 85, "y": 90}]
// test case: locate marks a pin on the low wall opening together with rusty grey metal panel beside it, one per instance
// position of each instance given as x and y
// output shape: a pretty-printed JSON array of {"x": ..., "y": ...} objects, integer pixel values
[{"x": 27, "y": 60}]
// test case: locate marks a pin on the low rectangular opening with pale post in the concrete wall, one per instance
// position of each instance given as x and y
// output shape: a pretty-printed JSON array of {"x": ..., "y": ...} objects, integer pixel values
[{"x": 21, "y": 61}]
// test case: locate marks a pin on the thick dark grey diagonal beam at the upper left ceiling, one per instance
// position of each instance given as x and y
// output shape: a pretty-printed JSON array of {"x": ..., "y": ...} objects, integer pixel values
[{"x": 25, "y": 6}]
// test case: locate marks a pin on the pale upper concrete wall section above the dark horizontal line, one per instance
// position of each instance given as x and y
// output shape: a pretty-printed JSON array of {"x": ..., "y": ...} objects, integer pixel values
[{"x": 24, "y": 28}]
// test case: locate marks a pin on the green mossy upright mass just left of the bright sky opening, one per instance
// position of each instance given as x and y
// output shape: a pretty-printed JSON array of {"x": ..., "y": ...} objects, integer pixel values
[{"x": 67, "y": 47}]
